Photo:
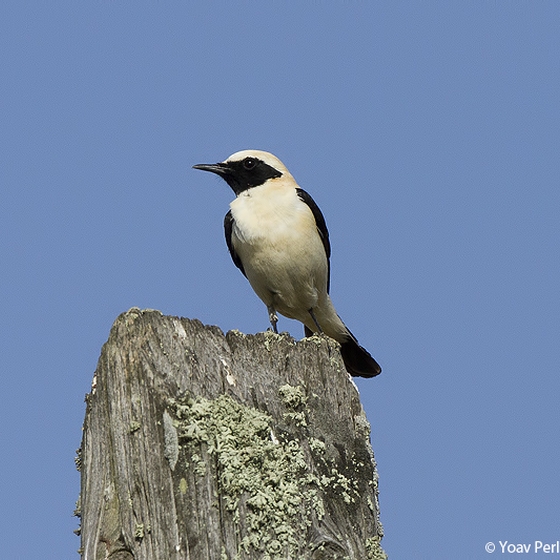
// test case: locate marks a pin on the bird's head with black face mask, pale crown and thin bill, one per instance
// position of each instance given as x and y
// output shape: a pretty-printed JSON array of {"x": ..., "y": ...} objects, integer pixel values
[{"x": 247, "y": 169}]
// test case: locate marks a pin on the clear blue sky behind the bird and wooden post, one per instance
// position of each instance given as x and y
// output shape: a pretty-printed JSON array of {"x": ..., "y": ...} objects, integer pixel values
[{"x": 429, "y": 134}]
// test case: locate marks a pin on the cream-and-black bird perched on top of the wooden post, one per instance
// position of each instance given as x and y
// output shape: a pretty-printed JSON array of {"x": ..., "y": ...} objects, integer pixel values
[{"x": 277, "y": 236}]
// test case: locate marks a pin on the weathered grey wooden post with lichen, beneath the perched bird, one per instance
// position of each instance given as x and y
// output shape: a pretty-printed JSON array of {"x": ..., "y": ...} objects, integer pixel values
[{"x": 202, "y": 446}]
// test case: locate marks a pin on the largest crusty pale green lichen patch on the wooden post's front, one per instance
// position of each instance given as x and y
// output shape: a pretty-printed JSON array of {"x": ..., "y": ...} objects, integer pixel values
[{"x": 280, "y": 494}]
